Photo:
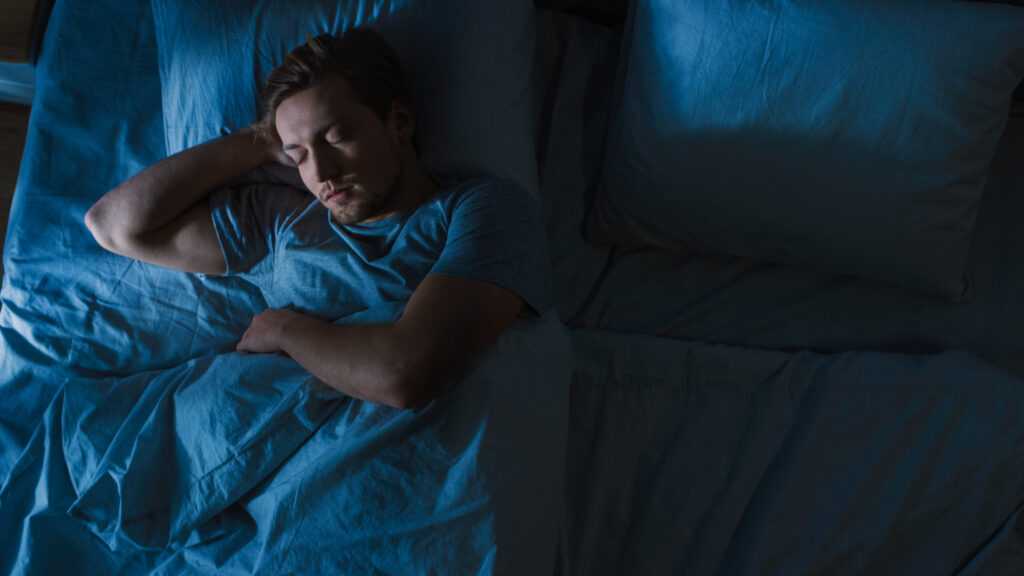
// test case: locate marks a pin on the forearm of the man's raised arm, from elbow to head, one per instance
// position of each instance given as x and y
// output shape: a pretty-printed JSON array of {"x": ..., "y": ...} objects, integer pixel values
[{"x": 159, "y": 194}]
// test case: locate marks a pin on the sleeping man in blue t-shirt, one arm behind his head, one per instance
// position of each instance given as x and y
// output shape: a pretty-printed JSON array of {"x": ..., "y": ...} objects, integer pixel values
[{"x": 467, "y": 258}]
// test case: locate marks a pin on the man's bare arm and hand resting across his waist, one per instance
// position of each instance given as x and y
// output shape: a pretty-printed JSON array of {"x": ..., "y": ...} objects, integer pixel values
[{"x": 448, "y": 323}]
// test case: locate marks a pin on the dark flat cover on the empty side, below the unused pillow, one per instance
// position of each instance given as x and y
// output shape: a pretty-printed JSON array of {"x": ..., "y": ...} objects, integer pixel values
[{"x": 691, "y": 459}]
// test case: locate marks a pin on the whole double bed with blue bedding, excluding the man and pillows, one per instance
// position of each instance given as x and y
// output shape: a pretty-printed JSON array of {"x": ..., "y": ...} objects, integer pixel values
[{"x": 679, "y": 412}]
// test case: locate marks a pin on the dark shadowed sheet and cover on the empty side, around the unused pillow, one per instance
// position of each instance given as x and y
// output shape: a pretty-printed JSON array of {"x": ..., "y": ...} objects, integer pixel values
[{"x": 692, "y": 459}]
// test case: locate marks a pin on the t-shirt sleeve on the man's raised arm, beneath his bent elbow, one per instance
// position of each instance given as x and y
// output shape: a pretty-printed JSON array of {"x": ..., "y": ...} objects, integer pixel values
[{"x": 248, "y": 222}]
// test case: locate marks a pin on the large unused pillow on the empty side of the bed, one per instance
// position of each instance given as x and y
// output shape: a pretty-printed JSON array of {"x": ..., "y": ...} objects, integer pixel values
[{"x": 849, "y": 137}]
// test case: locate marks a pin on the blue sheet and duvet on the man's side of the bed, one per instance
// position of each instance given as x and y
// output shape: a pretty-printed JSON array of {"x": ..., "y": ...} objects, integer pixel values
[{"x": 135, "y": 440}]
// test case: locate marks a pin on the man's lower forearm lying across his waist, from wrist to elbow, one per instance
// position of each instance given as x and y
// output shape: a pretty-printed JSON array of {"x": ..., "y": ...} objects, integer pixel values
[{"x": 363, "y": 361}]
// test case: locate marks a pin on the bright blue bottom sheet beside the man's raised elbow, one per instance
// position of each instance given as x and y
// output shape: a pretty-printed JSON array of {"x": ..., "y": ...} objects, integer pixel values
[{"x": 70, "y": 309}]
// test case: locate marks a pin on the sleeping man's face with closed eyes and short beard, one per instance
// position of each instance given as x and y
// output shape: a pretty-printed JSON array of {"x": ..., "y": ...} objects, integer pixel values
[{"x": 347, "y": 156}]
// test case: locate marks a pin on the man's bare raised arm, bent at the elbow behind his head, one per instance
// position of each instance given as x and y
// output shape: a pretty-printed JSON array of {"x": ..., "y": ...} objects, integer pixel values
[{"x": 160, "y": 217}]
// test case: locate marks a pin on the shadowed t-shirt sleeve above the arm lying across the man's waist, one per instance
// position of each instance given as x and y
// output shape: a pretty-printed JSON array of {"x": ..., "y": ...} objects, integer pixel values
[{"x": 496, "y": 235}]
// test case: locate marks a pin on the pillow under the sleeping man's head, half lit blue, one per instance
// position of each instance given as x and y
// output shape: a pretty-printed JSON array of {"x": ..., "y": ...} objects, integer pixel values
[{"x": 470, "y": 64}]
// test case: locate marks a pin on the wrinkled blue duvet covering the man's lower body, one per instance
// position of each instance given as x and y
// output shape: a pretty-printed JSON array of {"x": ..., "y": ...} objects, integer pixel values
[{"x": 245, "y": 464}]
